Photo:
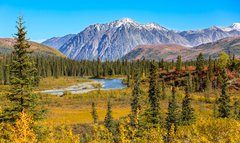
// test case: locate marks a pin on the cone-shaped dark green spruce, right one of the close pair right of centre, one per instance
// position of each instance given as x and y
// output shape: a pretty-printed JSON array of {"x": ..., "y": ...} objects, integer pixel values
[{"x": 187, "y": 115}]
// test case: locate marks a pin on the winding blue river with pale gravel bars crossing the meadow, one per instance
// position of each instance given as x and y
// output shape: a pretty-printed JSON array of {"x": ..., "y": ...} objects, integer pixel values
[{"x": 106, "y": 84}]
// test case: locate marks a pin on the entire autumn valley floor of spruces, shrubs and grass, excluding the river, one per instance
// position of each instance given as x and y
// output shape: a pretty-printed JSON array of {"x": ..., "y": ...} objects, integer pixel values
[{"x": 164, "y": 101}]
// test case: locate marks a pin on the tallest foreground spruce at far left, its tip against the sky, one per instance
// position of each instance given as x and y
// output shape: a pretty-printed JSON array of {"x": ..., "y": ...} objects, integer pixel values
[{"x": 22, "y": 78}]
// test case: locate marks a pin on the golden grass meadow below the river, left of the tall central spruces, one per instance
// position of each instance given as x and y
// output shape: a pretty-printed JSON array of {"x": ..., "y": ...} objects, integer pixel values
[{"x": 74, "y": 109}]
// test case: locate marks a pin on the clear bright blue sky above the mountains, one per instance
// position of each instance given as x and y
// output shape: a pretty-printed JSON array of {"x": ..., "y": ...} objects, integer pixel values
[{"x": 48, "y": 18}]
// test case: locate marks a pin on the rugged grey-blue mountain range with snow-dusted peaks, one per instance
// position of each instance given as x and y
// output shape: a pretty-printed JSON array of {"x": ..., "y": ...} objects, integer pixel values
[{"x": 116, "y": 39}]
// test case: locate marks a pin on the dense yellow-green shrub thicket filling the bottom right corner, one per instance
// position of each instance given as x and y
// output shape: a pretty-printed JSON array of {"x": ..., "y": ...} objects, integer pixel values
[{"x": 210, "y": 130}]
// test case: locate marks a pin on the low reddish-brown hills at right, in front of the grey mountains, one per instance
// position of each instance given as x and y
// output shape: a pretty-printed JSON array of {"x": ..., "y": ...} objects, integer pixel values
[{"x": 171, "y": 51}]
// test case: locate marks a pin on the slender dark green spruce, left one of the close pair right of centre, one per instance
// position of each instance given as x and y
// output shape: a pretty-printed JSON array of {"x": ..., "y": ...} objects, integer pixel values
[{"x": 172, "y": 112}]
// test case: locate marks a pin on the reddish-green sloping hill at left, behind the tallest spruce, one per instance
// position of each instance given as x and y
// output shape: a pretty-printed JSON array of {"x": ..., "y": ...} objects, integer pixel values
[{"x": 6, "y": 46}]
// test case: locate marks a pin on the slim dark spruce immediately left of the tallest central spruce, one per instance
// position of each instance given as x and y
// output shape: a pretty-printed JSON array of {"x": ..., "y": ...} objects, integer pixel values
[{"x": 136, "y": 93}]
